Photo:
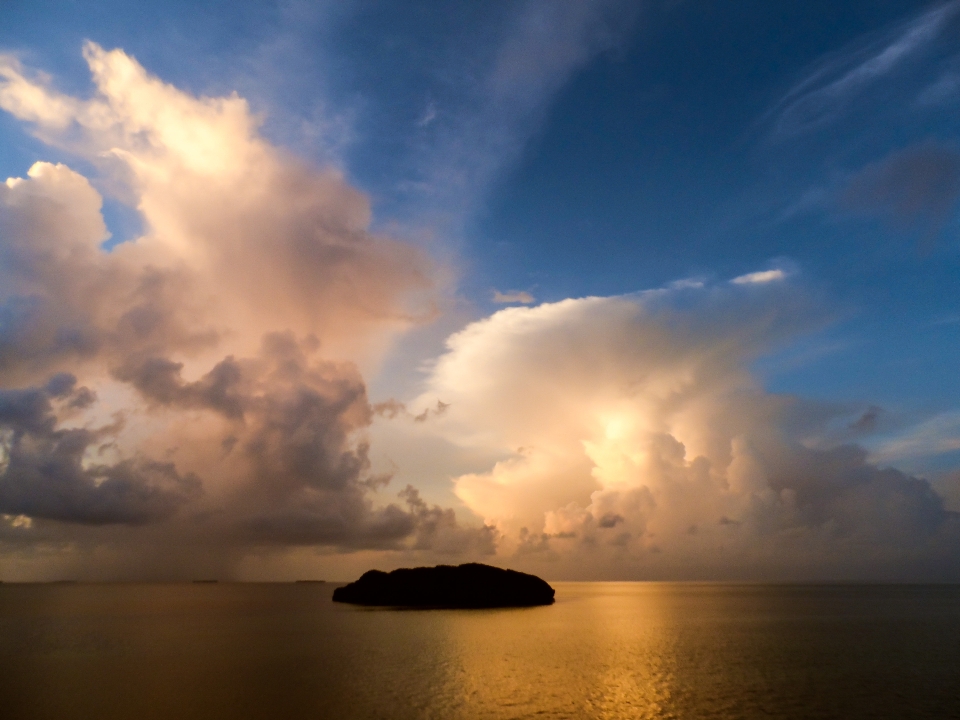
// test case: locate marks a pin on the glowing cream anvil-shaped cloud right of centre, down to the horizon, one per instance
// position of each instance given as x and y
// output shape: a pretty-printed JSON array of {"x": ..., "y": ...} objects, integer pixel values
[{"x": 624, "y": 422}]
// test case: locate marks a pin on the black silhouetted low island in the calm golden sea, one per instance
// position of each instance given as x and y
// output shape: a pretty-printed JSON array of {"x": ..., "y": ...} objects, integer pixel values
[{"x": 472, "y": 585}]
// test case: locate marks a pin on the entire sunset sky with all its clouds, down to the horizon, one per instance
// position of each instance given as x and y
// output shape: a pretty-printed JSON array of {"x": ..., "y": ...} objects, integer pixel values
[{"x": 596, "y": 289}]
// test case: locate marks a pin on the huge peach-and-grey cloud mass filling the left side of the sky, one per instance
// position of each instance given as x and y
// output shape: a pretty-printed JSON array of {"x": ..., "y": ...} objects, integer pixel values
[{"x": 220, "y": 353}]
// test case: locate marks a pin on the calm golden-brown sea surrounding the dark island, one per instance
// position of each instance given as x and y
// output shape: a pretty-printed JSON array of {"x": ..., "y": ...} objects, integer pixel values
[{"x": 603, "y": 650}]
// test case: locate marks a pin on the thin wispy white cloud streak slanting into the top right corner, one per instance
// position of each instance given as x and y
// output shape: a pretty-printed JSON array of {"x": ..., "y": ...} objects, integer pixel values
[{"x": 827, "y": 92}]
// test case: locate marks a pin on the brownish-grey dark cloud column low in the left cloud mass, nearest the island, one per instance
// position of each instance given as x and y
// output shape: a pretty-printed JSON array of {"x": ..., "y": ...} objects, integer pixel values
[{"x": 292, "y": 425}]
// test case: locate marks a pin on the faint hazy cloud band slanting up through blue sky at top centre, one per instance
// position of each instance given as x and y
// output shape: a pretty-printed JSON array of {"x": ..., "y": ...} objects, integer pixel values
[{"x": 484, "y": 128}]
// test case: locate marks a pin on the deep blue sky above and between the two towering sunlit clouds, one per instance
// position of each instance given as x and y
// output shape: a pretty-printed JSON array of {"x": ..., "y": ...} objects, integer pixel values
[{"x": 565, "y": 150}]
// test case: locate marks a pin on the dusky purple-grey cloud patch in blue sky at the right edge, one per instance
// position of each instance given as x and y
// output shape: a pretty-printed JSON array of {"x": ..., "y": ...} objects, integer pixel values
[{"x": 917, "y": 187}]
